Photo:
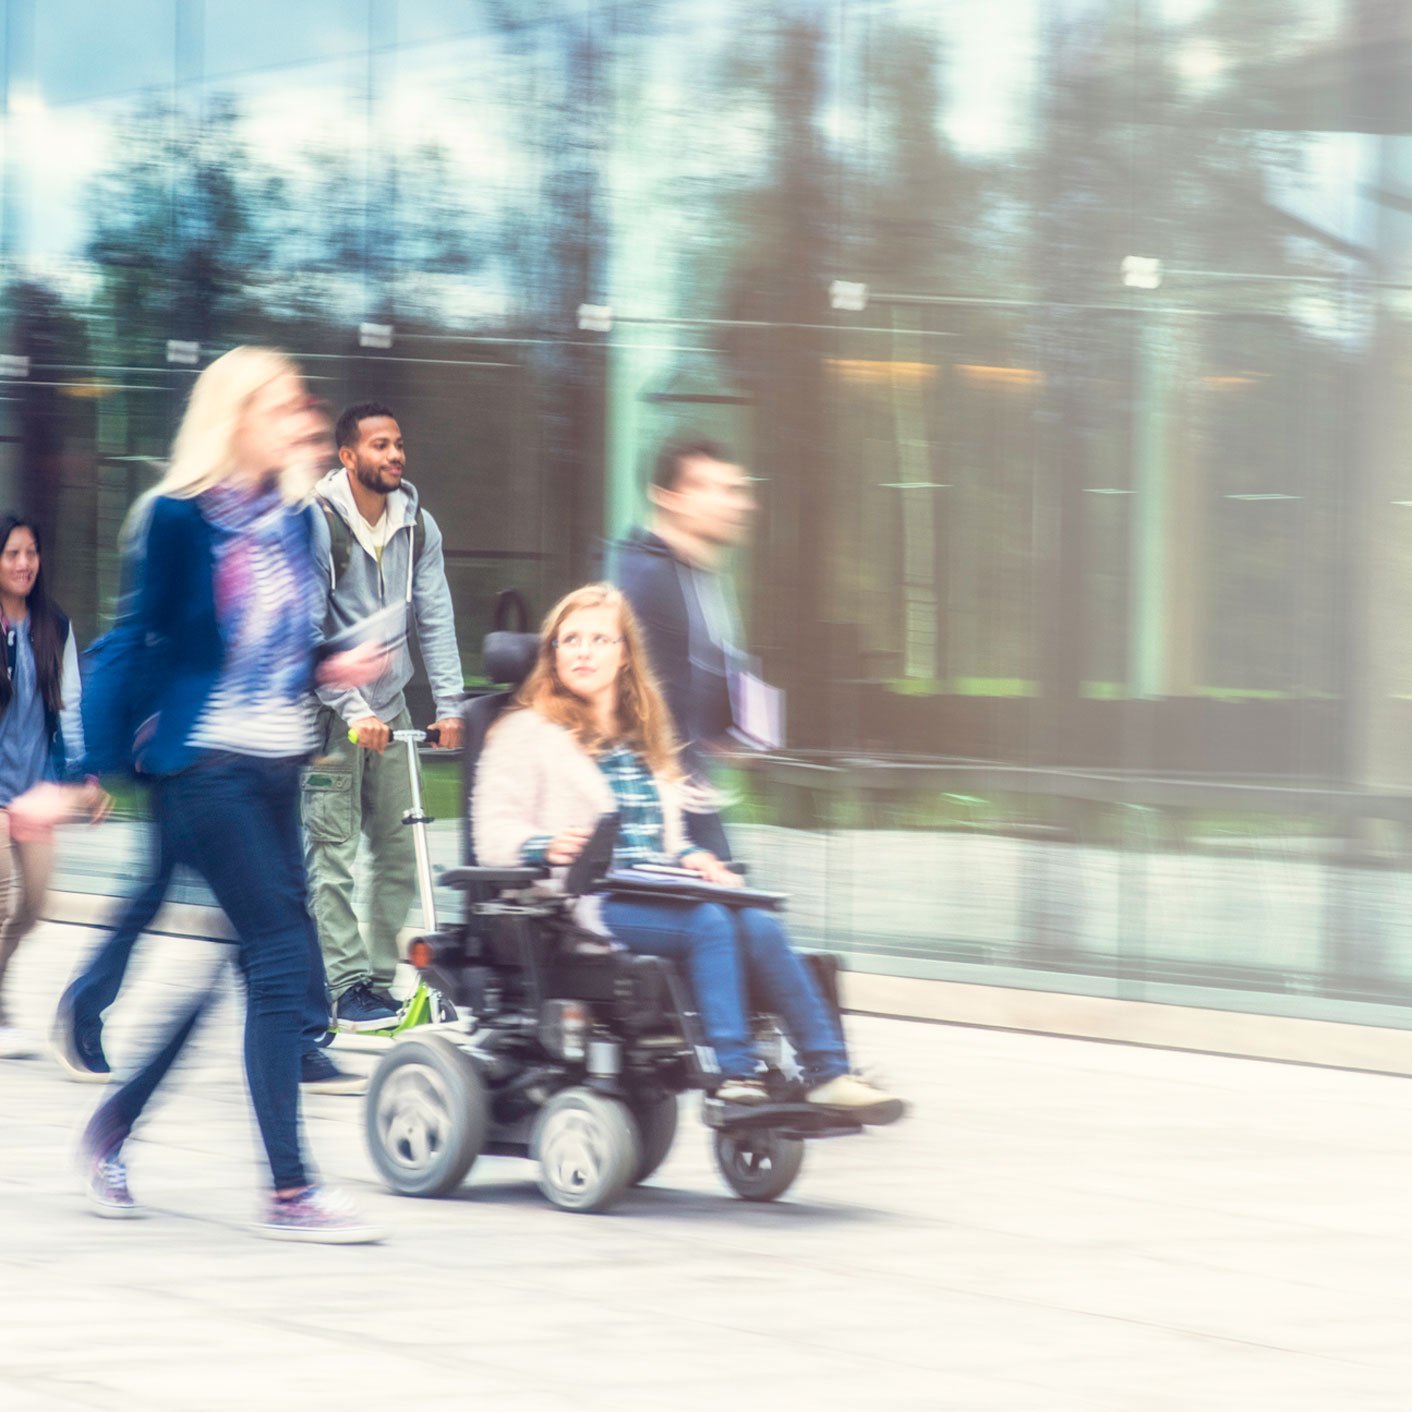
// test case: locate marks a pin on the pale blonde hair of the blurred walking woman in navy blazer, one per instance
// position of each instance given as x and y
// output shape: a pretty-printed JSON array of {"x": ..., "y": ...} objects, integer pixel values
[{"x": 204, "y": 451}]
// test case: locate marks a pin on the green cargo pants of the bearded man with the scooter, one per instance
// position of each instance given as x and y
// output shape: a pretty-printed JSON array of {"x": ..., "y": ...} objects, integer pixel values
[{"x": 352, "y": 793}]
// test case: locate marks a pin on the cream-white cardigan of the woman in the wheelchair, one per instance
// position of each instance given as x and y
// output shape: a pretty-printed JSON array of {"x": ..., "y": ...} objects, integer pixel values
[{"x": 536, "y": 779}]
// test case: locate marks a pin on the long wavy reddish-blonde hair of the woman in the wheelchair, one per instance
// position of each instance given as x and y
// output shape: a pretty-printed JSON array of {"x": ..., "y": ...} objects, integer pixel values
[{"x": 645, "y": 722}]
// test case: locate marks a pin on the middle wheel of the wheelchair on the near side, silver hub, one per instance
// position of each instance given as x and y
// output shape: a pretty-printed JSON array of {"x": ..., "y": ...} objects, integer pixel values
[{"x": 588, "y": 1150}]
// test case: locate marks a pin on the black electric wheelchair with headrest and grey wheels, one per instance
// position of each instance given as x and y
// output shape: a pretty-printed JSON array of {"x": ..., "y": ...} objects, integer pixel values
[{"x": 564, "y": 1048}]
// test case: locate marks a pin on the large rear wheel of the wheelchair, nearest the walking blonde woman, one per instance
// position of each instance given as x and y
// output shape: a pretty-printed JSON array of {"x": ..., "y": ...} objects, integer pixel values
[{"x": 427, "y": 1118}]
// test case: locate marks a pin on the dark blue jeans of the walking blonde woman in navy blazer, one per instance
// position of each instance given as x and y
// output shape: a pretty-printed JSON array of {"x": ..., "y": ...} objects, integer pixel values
[{"x": 235, "y": 820}]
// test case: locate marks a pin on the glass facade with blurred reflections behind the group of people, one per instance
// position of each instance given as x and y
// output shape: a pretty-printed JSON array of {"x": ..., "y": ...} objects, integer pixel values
[{"x": 1070, "y": 341}]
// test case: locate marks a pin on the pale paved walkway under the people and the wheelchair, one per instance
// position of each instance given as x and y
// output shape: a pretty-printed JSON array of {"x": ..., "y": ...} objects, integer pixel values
[{"x": 1061, "y": 1228}]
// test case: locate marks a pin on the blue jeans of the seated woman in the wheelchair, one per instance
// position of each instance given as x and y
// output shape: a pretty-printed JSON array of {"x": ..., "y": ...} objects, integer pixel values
[{"x": 724, "y": 948}]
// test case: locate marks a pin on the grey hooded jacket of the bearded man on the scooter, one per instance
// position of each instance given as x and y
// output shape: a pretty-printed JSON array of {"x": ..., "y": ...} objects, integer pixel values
[{"x": 365, "y": 588}]
